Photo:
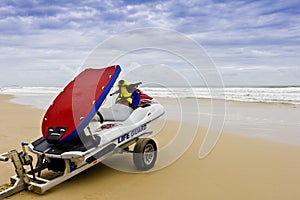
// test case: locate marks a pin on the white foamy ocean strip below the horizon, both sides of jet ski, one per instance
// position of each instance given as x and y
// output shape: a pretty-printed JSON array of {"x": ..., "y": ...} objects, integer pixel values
[{"x": 41, "y": 97}]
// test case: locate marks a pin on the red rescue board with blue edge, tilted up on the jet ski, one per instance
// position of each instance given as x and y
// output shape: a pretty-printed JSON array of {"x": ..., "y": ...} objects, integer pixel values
[{"x": 76, "y": 105}]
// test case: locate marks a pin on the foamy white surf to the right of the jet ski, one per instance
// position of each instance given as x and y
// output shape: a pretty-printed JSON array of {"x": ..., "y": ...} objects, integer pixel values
[{"x": 249, "y": 94}]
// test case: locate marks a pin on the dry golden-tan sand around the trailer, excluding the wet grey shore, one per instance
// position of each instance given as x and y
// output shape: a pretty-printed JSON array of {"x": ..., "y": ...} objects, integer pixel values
[{"x": 239, "y": 167}]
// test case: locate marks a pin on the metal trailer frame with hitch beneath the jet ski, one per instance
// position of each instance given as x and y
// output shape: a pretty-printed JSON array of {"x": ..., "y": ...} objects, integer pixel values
[{"x": 27, "y": 180}]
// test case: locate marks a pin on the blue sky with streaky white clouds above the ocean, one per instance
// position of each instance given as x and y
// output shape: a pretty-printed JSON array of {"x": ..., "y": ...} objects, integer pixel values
[{"x": 45, "y": 42}]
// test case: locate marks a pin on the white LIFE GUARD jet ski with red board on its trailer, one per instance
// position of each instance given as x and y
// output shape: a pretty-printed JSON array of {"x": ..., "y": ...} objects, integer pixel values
[{"x": 78, "y": 131}]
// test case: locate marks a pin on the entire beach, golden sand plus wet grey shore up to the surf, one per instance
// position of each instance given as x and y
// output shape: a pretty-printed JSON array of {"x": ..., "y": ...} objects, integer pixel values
[{"x": 240, "y": 166}]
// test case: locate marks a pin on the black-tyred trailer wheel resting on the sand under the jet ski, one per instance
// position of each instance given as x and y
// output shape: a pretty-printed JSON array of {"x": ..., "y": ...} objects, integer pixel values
[{"x": 145, "y": 154}]
